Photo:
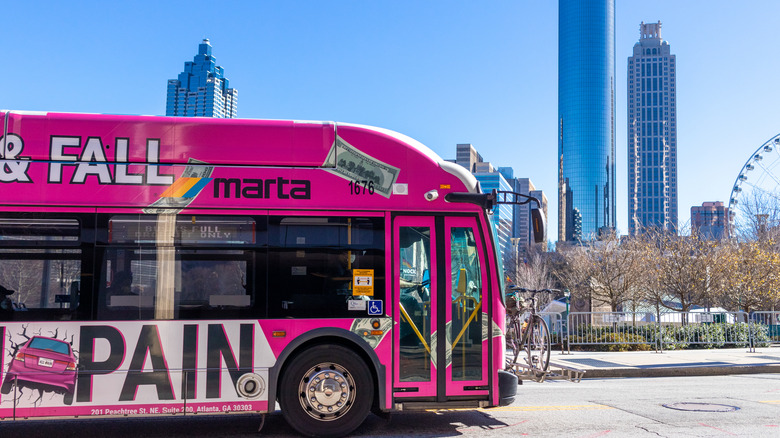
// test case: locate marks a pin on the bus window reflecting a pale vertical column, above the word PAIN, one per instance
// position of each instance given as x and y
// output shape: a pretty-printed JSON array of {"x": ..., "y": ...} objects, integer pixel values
[{"x": 181, "y": 267}]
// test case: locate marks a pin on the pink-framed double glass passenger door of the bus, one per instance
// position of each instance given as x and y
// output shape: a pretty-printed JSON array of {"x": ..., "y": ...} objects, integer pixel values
[{"x": 439, "y": 288}]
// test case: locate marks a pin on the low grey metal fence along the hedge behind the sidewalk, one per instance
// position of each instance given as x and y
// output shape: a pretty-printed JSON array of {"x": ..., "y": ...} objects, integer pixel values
[{"x": 670, "y": 330}]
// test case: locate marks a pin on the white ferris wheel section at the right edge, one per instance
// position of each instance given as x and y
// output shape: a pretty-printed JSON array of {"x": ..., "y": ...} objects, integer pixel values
[{"x": 759, "y": 178}]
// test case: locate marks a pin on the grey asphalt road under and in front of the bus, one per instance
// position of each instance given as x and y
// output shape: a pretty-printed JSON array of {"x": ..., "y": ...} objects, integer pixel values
[{"x": 712, "y": 406}]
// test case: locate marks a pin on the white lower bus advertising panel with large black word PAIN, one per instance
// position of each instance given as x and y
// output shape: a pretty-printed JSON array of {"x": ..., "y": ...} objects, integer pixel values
[{"x": 130, "y": 368}]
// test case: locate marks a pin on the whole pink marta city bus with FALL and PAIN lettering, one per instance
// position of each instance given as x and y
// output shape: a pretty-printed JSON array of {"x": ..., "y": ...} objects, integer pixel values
[{"x": 184, "y": 266}]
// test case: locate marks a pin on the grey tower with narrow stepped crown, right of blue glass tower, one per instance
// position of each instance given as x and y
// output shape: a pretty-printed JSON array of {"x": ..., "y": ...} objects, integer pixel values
[{"x": 652, "y": 134}]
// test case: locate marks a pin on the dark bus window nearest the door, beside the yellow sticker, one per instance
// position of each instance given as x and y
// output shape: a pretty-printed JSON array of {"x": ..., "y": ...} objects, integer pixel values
[{"x": 312, "y": 263}]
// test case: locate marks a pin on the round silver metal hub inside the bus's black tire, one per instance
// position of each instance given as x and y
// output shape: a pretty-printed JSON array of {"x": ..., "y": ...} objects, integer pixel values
[{"x": 327, "y": 391}]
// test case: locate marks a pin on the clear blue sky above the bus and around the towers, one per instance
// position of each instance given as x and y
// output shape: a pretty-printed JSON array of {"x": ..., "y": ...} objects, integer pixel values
[{"x": 441, "y": 71}]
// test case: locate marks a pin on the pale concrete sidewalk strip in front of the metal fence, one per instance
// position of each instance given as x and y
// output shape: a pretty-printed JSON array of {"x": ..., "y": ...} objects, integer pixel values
[{"x": 671, "y": 363}]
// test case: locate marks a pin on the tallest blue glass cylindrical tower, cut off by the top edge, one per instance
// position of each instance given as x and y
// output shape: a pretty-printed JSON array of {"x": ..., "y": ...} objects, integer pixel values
[{"x": 586, "y": 118}]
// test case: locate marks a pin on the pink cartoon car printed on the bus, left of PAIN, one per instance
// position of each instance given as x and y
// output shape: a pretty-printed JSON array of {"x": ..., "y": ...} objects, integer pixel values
[{"x": 44, "y": 363}]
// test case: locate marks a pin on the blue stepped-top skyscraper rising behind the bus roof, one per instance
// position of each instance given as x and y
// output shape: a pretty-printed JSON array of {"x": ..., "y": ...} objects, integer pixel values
[{"x": 202, "y": 89}]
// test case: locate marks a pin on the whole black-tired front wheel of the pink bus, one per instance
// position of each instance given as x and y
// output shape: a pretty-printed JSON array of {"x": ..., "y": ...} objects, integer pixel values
[{"x": 326, "y": 391}]
